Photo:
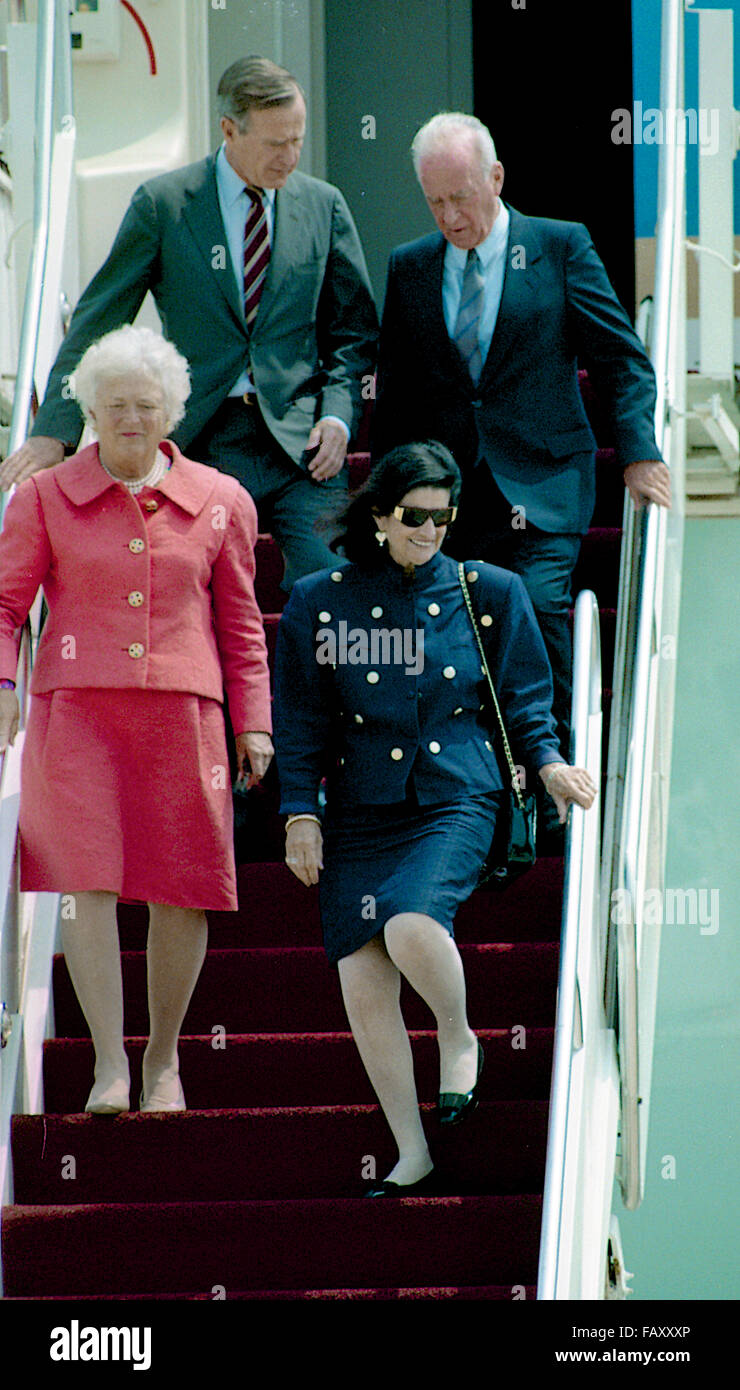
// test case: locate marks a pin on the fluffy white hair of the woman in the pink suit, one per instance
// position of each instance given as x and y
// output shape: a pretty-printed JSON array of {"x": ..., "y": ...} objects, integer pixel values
[{"x": 131, "y": 352}]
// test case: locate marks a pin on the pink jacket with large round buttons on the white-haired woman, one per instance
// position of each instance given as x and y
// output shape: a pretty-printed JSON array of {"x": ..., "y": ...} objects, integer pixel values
[{"x": 155, "y": 594}]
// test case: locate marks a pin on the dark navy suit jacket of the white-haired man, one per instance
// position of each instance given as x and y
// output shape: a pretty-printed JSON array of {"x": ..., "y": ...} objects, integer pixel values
[{"x": 525, "y": 418}]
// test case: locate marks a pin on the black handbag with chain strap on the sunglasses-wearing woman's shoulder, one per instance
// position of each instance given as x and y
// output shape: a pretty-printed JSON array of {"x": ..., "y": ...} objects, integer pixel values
[{"x": 513, "y": 847}]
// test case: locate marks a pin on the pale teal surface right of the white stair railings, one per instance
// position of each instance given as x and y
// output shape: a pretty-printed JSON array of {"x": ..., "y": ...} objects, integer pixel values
[{"x": 684, "y": 1241}]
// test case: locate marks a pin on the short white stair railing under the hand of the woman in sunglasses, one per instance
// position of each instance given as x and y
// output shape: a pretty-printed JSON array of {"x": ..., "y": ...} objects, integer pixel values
[{"x": 585, "y": 1097}]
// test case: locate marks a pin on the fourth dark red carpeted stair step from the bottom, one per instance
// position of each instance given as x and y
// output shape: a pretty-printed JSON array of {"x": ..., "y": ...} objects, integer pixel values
[{"x": 296, "y": 990}]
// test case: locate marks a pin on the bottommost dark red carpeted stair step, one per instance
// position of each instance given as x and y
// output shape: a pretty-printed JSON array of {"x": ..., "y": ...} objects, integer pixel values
[{"x": 325, "y": 1243}]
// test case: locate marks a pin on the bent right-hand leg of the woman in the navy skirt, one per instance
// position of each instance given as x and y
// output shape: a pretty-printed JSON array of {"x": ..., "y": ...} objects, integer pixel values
[{"x": 428, "y": 956}]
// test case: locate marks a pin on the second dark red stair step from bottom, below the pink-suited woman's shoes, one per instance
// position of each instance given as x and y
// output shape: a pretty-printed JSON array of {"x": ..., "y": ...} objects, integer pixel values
[{"x": 264, "y": 1153}]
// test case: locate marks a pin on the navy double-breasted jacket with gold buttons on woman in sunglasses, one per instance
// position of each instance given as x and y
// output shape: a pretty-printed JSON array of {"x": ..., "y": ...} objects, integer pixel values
[{"x": 380, "y": 686}]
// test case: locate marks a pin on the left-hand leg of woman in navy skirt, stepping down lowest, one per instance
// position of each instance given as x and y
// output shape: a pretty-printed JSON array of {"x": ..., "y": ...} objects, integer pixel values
[{"x": 372, "y": 989}]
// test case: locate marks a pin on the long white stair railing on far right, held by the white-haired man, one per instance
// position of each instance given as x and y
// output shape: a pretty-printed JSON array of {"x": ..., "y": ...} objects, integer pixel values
[{"x": 641, "y": 733}]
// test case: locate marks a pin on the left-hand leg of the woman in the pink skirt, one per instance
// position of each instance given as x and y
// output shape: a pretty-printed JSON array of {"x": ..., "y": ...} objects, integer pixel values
[{"x": 94, "y": 960}]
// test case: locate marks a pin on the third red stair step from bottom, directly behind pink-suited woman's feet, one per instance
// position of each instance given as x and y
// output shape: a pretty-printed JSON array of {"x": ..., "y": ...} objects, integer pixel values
[{"x": 275, "y": 1070}]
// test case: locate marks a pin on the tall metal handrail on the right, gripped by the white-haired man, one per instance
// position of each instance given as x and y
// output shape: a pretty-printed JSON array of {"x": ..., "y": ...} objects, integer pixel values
[{"x": 635, "y": 685}]
